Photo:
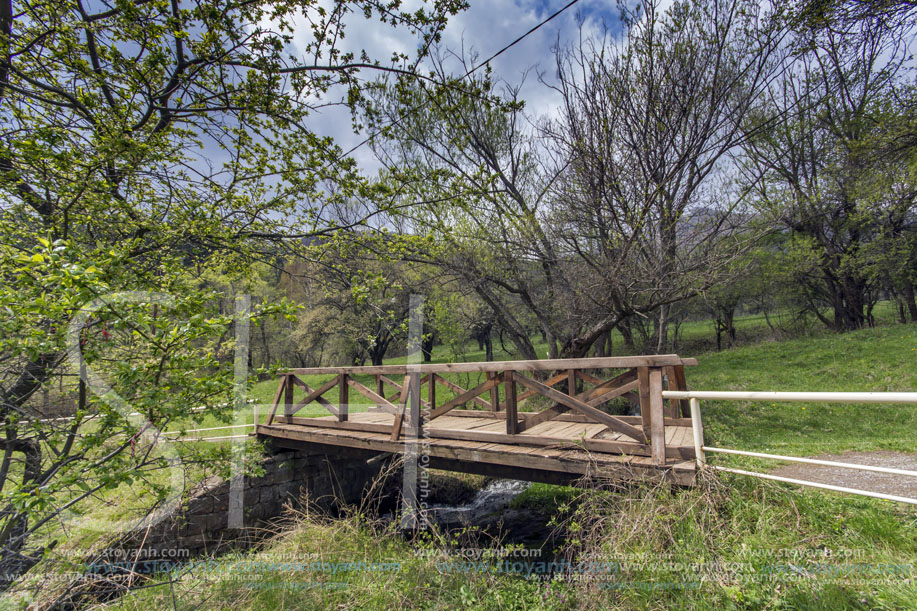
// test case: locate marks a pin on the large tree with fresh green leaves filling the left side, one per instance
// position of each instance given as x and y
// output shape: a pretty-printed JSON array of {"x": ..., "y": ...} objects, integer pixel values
[{"x": 143, "y": 142}]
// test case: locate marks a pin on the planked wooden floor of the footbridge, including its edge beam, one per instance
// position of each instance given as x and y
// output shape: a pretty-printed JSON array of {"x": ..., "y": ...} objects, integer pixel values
[{"x": 552, "y": 451}]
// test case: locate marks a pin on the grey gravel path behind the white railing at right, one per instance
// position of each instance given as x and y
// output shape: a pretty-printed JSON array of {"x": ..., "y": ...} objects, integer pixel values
[{"x": 886, "y": 483}]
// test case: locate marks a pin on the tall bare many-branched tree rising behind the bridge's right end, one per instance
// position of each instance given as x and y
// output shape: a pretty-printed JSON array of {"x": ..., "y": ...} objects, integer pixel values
[{"x": 649, "y": 126}]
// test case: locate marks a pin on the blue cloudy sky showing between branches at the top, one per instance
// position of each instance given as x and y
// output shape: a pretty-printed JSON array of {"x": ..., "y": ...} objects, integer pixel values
[{"x": 484, "y": 28}]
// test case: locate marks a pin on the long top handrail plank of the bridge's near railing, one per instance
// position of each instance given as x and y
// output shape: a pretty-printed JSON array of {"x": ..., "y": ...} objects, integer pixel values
[{"x": 612, "y": 362}]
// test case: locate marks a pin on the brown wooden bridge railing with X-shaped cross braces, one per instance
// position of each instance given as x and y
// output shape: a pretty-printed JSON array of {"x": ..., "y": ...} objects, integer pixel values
[{"x": 575, "y": 389}]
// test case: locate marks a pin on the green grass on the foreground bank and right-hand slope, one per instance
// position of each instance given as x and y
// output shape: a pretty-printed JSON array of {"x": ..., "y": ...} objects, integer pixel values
[{"x": 730, "y": 543}]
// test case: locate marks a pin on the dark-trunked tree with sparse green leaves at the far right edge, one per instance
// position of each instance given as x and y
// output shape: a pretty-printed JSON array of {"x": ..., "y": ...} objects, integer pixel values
[{"x": 830, "y": 175}]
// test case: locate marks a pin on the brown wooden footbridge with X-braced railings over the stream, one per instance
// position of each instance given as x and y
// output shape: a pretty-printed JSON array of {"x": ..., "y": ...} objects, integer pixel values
[{"x": 536, "y": 420}]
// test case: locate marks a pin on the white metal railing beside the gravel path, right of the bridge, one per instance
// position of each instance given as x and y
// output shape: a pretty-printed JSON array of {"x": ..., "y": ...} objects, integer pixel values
[{"x": 828, "y": 397}]
